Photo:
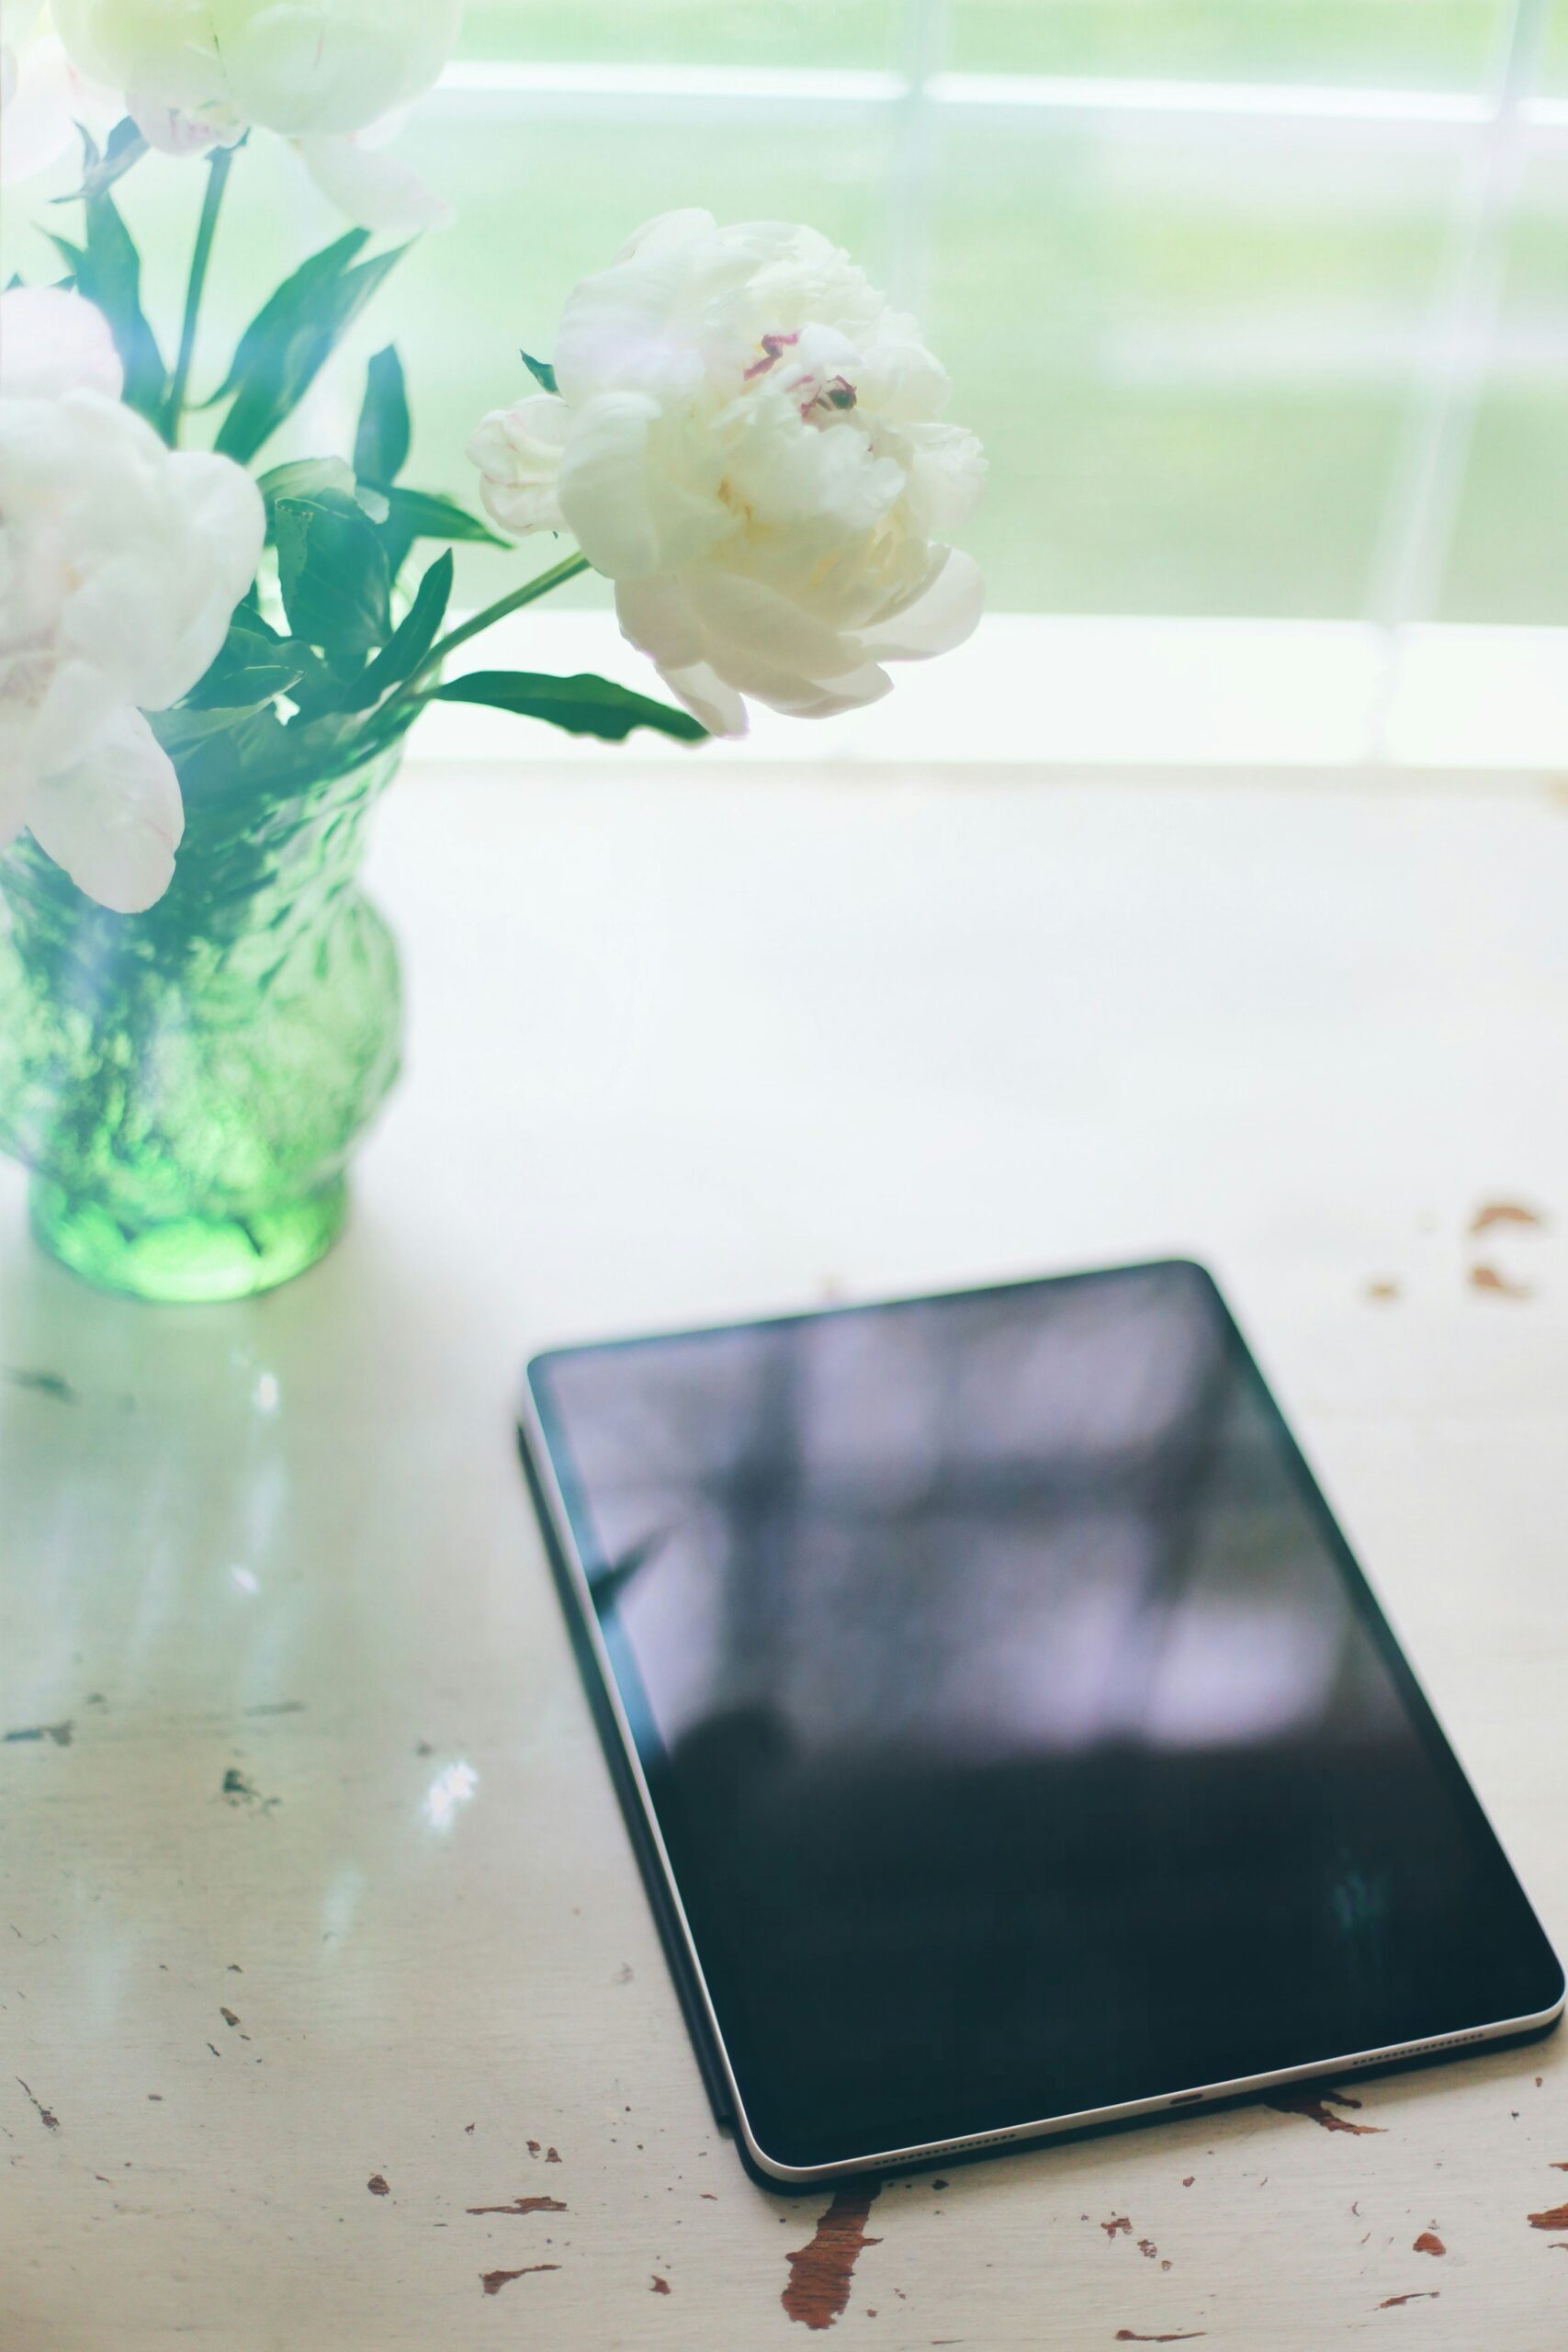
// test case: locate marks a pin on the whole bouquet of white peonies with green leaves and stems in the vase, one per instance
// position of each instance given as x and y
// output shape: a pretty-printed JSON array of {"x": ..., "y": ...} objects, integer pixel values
[{"x": 735, "y": 429}]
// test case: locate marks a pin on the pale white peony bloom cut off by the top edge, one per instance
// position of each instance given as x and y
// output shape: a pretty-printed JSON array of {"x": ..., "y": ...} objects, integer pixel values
[{"x": 201, "y": 74}]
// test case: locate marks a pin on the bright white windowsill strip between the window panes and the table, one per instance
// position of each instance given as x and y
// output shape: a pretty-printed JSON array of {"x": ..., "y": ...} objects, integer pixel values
[{"x": 1031, "y": 690}]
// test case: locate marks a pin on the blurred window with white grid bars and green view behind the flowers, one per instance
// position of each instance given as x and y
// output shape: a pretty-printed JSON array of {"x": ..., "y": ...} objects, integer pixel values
[{"x": 1261, "y": 307}]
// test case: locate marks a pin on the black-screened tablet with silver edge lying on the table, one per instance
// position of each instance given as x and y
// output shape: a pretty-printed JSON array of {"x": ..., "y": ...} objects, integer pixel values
[{"x": 1007, "y": 1732}]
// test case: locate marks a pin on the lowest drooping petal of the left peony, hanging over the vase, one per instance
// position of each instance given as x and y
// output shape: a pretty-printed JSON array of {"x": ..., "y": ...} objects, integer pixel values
[{"x": 114, "y": 820}]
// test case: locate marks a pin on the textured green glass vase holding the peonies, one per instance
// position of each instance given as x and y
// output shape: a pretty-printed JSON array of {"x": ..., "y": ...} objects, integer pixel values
[{"x": 187, "y": 1085}]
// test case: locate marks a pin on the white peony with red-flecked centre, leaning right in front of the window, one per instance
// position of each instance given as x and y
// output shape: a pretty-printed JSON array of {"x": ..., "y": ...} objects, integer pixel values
[{"x": 746, "y": 441}]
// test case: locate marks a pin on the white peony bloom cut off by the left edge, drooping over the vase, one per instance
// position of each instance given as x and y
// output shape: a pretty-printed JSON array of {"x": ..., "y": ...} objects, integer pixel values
[{"x": 121, "y": 566}]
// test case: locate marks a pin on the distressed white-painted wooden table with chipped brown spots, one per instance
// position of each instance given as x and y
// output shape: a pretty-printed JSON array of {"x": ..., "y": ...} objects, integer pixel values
[{"x": 321, "y": 1944}]
